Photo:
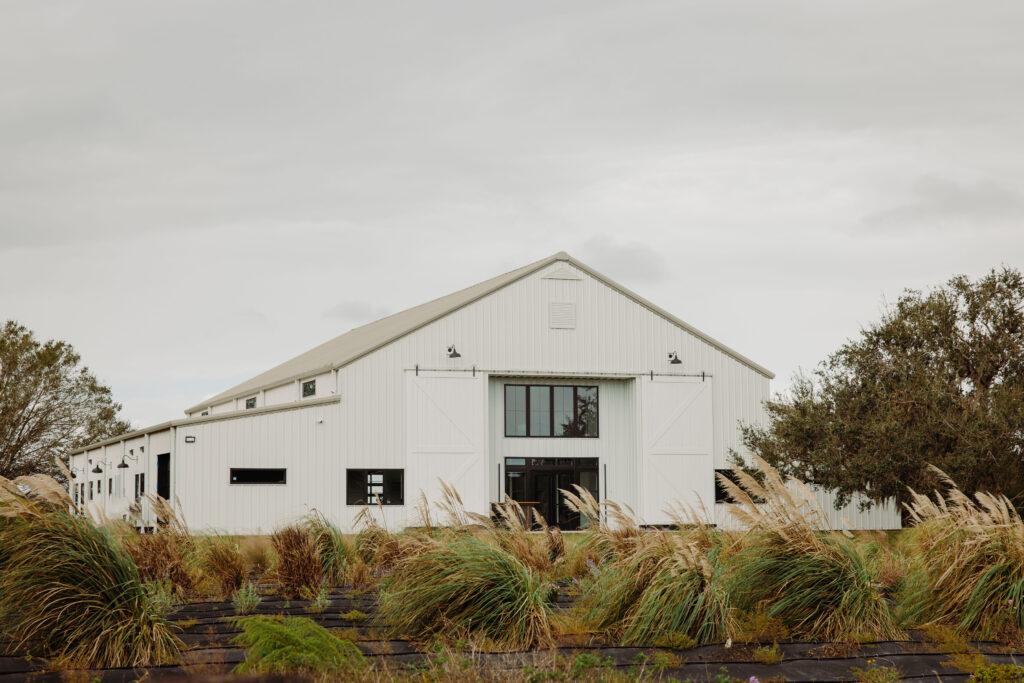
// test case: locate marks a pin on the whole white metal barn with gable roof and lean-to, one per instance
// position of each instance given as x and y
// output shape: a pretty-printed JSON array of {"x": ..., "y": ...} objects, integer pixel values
[{"x": 537, "y": 379}]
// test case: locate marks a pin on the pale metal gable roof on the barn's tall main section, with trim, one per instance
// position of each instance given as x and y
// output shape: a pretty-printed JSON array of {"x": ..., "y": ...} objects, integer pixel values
[{"x": 363, "y": 340}]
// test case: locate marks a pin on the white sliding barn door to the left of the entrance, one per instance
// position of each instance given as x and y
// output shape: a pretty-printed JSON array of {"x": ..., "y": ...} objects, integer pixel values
[{"x": 447, "y": 436}]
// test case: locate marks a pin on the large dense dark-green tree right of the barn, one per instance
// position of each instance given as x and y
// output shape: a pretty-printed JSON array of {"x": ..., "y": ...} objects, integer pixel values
[{"x": 940, "y": 380}]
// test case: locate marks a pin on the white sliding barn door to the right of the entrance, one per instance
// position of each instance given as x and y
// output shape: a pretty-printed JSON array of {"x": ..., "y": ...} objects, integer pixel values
[{"x": 678, "y": 462}]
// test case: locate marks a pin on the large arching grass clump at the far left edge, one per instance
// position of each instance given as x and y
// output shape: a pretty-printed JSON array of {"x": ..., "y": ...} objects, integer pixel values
[{"x": 69, "y": 590}]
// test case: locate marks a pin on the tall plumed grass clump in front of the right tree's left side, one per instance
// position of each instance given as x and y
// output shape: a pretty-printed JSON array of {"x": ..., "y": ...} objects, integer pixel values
[{"x": 793, "y": 568}]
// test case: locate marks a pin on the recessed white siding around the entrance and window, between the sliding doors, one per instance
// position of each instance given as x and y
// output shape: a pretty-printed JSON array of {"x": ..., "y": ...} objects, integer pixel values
[{"x": 615, "y": 448}]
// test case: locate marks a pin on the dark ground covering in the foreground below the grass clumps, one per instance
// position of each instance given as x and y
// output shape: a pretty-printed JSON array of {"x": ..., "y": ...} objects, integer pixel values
[{"x": 211, "y": 655}]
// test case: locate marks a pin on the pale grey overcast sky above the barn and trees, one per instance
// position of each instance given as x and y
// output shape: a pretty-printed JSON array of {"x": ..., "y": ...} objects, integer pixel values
[{"x": 193, "y": 193}]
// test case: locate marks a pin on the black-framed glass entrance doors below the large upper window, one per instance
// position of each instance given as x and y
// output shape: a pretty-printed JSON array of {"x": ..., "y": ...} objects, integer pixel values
[{"x": 535, "y": 483}]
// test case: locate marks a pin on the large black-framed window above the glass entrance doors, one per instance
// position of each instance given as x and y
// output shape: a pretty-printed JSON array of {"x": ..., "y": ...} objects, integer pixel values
[{"x": 541, "y": 410}]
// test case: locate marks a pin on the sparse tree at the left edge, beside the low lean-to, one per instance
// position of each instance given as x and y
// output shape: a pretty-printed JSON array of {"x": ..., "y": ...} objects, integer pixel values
[{"x": 50, "y": 404}]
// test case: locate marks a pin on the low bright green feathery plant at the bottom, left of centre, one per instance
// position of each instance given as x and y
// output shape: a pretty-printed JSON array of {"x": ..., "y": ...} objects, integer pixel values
[{"x": 294, "y": 646}]
